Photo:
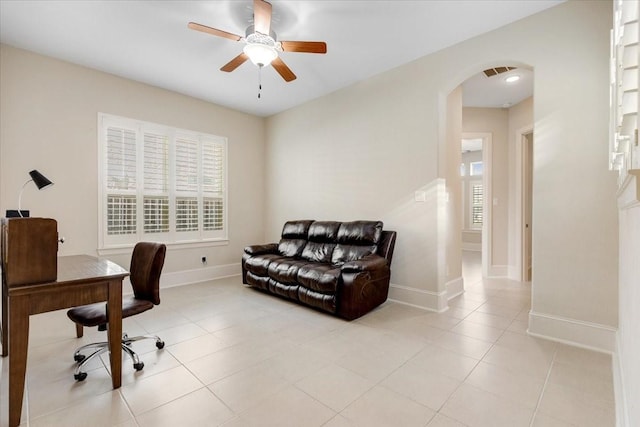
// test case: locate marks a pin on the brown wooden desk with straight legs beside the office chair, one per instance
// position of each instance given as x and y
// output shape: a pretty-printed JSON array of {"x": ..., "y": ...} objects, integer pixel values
[{"x": 81, "y": 280}]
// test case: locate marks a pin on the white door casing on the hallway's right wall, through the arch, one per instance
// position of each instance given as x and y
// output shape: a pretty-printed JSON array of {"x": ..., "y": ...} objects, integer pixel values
[{"x": 519, "y": 216}]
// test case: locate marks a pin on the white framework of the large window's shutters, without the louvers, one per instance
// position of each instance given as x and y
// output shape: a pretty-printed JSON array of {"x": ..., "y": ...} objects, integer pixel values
[{"x": 200, "y": 237}]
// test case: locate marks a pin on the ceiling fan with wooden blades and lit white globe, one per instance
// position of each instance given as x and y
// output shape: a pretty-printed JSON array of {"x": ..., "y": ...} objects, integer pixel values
[{"x": 261, "y": 45}]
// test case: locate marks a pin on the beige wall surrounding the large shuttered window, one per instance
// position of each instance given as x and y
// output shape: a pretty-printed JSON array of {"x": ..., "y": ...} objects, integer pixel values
[{"x": 48, "y": 122}]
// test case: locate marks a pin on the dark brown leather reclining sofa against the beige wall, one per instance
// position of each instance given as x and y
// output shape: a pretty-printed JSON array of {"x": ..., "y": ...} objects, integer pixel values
[{"x": 339, "y": 267}]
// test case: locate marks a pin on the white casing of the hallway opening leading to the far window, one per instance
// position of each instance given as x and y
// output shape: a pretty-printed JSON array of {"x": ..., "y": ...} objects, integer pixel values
[{"x": 487, "y": 221}]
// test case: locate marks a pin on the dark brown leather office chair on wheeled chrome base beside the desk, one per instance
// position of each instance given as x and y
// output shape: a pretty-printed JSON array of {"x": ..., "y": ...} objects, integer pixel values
[{"x": 146, "y": 266}]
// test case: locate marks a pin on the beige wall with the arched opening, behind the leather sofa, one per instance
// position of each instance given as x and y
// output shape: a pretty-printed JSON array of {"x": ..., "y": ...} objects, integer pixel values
[{"x": 363, "y": 151}]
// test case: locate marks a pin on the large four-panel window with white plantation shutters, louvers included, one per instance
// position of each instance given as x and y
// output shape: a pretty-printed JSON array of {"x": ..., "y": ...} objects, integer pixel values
[{"x": 160, "y": 183}]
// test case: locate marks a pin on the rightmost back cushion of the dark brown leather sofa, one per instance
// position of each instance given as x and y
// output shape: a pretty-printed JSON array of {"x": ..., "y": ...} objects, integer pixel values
[{"x": 356, "y": 240}]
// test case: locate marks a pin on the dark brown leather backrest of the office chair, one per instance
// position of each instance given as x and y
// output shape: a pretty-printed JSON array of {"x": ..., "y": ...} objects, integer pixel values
[{"x": 146, "y": 265}]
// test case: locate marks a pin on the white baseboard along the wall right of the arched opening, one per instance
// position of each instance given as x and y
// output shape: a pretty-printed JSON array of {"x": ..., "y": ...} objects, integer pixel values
[{"x": 592, "y": 336}]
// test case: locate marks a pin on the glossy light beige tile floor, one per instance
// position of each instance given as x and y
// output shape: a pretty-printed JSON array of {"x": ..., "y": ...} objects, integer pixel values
[{"x": 237, "y": 357}]
